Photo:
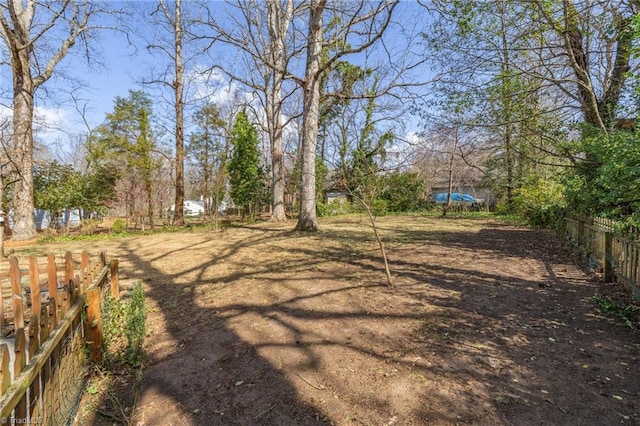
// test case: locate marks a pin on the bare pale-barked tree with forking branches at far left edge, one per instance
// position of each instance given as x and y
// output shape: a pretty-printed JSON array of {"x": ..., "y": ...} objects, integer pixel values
[{"x": 37, "y": 35}]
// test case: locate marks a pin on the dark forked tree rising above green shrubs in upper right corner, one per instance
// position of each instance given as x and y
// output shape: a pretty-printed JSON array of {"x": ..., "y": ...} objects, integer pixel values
[{"x": 594, "y": 41}]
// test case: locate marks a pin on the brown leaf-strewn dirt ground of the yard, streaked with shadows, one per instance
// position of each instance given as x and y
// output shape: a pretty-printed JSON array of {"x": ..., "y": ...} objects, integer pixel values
[{"x": 488, "y": 324}]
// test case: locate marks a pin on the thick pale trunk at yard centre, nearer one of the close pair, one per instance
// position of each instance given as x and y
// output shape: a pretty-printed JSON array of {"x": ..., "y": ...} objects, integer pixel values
[{"x": 307, "y": 221}]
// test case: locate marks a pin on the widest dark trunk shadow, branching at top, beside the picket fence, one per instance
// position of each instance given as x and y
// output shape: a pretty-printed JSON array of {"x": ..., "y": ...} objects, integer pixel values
[{"x": 204, "y": 373}]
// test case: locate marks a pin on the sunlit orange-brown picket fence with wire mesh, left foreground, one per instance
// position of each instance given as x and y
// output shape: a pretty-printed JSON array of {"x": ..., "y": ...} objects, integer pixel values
[{"x": 51, "y": 326}]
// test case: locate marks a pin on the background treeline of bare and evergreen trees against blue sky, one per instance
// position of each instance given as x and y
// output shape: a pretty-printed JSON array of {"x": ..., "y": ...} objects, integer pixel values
[{"x": 272, "y": 105}]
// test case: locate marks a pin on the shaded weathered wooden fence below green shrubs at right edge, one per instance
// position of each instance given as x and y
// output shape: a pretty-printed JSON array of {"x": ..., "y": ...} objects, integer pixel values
[{"x": 617, "y": 252}]
